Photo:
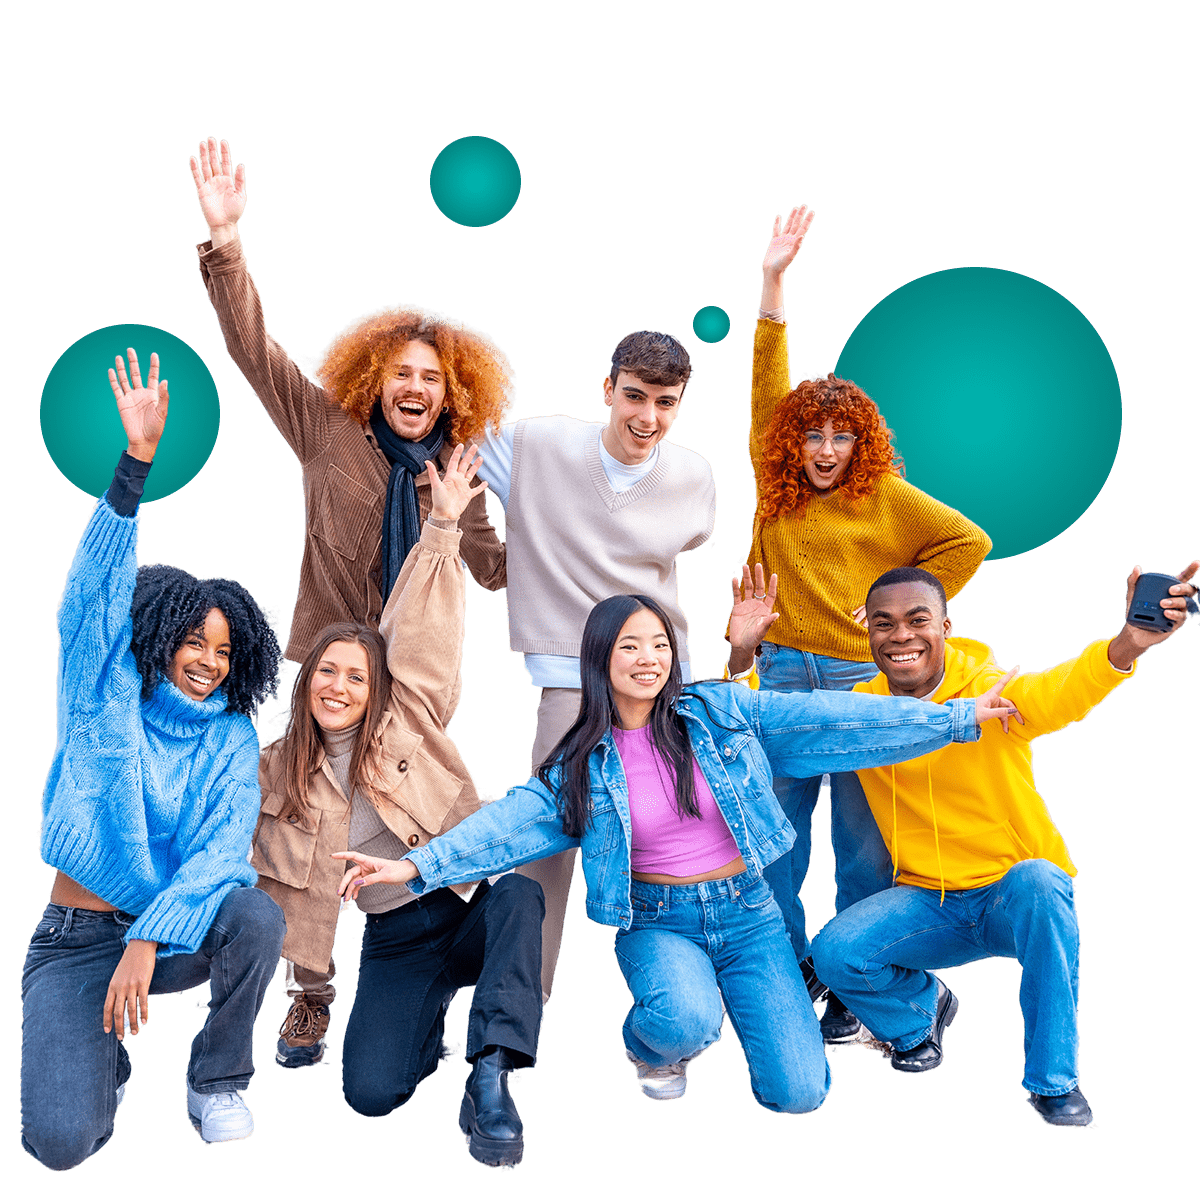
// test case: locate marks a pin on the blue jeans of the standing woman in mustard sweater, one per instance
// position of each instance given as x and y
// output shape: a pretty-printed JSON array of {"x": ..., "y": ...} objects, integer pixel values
[{"x": 862, "y": 863}]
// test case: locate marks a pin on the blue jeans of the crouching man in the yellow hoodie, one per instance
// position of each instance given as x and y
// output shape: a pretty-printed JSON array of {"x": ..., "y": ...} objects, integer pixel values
[{"x": 879, "y": 956}]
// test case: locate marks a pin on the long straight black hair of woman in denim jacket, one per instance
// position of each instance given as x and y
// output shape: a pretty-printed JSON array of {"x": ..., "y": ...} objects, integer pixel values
[{"x": 598, "y": 713}]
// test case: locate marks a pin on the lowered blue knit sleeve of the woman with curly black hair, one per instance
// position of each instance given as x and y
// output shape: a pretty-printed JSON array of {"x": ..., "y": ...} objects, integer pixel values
[{"x": 215, "y": 849}]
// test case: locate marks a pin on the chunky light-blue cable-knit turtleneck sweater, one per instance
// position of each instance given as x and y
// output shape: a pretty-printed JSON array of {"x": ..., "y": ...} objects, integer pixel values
[{"x": 149, "y": 805}]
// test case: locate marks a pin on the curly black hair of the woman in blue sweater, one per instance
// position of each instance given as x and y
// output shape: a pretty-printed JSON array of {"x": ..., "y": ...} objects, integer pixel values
[{"x": 170, "y": 604}]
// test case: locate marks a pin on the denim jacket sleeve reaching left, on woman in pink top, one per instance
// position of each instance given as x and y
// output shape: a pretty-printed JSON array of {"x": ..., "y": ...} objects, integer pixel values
[{"x": 523, "y": 826}]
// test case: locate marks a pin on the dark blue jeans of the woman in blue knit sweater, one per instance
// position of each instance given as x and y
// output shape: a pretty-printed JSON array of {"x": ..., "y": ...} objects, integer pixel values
[{"x": 71, "y": 1069}]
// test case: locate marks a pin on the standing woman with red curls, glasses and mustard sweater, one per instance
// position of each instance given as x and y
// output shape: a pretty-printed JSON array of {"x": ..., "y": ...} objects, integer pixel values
[{"x": 832, "y": 513}]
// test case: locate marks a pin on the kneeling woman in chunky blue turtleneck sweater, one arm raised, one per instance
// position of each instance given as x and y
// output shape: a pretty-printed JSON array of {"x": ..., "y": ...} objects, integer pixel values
[{"x": 147, "y": 818}]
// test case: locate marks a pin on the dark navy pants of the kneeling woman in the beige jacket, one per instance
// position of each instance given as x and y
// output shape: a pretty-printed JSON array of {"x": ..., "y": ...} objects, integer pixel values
[{"x": 415, "y": 958}]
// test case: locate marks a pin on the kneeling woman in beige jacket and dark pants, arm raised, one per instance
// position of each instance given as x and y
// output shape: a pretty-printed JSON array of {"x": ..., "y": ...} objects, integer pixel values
[{"x": 368, "y": 765}]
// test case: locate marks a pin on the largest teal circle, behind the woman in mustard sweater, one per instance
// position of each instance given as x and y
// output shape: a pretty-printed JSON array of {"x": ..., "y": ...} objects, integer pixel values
[{"x": 1004, "y": 399}]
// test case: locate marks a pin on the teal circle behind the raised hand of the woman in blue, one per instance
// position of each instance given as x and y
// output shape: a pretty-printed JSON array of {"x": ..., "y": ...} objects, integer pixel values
[{"x": 82, "y": 429}]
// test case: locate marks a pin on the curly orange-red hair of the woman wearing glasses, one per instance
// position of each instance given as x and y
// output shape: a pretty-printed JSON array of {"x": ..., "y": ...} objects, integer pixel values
[{"x": 784, "y": 485}]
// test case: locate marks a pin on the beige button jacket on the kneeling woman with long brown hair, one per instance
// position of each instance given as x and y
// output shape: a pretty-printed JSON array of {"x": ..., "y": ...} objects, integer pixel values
[{"x": 428, "y": 785}]
